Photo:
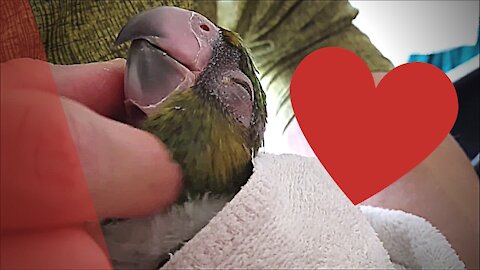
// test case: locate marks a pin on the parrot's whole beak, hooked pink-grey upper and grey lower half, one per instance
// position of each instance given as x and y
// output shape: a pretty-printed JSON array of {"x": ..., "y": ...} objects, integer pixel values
[{"x": 170, "y": 48}]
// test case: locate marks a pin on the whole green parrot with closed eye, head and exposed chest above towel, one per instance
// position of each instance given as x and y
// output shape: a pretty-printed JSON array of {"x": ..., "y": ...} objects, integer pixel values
[{"x": 194, "y": 85}]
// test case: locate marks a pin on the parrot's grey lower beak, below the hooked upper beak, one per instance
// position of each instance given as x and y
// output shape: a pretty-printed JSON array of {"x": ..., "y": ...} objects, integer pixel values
[{"x": 151, "y": 75}]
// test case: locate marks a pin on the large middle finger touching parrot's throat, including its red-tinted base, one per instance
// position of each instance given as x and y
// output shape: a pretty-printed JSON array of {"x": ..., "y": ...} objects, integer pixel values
[{"x": 43, "y": 183}]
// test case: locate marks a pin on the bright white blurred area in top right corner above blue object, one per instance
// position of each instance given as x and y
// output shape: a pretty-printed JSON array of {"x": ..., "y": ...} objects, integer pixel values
[{"x": 400, "y": 29}]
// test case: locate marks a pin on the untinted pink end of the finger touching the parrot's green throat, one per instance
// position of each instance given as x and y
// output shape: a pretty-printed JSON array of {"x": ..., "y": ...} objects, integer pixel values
[{"x": 129, "y": 172}]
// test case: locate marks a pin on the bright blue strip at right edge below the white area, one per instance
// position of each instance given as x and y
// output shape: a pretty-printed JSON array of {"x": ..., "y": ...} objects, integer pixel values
[{"x": 449, "y": 59}]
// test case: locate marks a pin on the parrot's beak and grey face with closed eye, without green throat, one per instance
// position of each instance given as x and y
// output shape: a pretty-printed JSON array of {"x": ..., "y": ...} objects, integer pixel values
[{"x": 176, "y": 50}]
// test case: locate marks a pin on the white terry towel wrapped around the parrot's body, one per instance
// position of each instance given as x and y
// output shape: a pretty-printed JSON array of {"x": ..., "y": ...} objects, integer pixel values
[{"x": 291, "y": 214}]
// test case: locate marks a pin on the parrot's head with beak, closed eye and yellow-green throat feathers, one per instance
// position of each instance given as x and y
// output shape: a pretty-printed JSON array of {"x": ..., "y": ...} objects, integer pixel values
[{"x": 194, "y": 85}]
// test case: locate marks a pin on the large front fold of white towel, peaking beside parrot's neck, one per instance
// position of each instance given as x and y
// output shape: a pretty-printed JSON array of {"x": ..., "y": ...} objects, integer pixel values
[{"x": 290, "y": 214}]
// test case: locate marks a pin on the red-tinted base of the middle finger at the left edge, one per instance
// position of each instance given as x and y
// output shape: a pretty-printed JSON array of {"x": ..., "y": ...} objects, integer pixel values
[{"x": 42, "y": 182}]
